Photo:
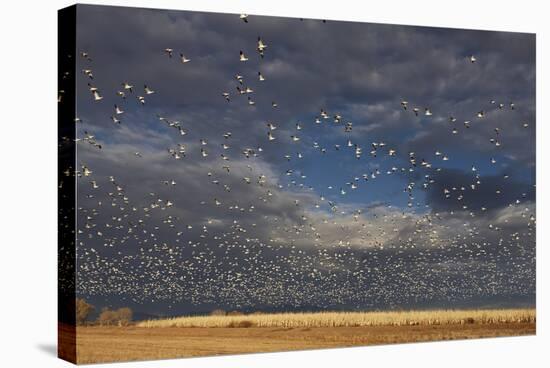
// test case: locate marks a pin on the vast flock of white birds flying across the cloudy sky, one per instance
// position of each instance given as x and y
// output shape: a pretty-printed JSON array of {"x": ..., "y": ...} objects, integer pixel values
[{"x": 252, "y": 252}]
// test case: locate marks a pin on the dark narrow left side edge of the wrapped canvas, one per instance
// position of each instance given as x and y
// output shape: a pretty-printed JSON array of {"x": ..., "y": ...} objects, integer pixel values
[{"x": 66, "y": 199}]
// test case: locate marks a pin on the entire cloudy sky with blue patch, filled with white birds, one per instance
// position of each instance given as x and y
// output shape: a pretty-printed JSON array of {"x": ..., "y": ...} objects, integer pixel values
[{"x": 356, "y": 202}]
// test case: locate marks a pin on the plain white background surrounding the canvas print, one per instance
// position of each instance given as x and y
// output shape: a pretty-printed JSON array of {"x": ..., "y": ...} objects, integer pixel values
[{"x": 28, "y": 197}]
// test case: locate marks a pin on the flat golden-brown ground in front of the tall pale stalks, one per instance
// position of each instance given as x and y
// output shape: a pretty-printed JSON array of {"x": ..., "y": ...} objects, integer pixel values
[{"x": 107, "y": 344}]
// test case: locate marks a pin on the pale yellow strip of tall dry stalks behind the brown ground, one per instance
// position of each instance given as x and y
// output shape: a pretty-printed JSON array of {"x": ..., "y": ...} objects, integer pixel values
[{"x": 349, "y": 319}]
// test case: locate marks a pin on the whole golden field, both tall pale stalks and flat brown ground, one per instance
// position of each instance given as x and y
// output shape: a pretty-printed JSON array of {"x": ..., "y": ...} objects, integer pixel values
[{"x": 218, "y": 335}]
